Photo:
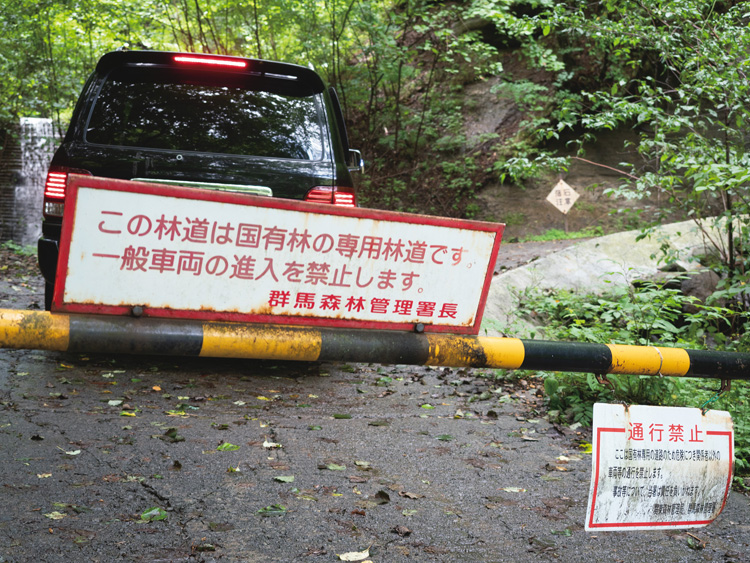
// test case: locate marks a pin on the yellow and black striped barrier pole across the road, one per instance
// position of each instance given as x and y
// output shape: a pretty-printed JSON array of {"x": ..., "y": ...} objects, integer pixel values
[{"x": 128, "y": 335}]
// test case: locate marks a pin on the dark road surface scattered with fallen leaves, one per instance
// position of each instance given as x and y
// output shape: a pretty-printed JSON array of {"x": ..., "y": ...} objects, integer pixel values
[{"x": 173, "y": 459}]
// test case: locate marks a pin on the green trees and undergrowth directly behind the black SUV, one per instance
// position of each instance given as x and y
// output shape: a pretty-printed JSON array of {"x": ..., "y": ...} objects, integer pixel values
[{"x": 399, "y": 67}]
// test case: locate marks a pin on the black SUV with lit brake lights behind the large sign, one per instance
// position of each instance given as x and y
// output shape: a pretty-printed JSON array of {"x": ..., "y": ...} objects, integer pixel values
[{"x": 214, "y": 122}]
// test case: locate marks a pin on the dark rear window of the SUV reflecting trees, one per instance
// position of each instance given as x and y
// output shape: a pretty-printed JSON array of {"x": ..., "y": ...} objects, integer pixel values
[{"x": 172, "y": 109}]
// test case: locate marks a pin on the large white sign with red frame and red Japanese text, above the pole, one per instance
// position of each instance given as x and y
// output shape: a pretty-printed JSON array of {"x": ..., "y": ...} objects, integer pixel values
[{"x": 182, "y": 252}]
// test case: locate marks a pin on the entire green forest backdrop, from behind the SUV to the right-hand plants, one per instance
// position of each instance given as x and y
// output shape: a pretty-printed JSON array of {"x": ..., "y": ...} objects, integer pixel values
[{"x": 672, "y": 73}]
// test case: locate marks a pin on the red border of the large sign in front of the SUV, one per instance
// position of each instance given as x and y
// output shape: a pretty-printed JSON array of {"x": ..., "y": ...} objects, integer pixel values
[{"x": 76, "y": 181}]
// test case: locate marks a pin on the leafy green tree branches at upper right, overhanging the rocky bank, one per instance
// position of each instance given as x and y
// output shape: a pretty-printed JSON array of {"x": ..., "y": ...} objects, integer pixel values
[{"x": 676, "y": 72}]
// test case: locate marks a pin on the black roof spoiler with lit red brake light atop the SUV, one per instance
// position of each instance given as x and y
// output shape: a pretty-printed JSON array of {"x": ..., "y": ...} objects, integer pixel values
[{"x": 270, "y": 69}]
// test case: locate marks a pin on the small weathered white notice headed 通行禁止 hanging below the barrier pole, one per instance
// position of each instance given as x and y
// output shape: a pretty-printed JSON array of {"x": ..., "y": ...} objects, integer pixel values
[{"x": 658, "y": 467}]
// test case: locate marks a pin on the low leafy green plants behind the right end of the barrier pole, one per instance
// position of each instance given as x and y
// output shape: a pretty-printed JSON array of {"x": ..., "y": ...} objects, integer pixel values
[{"x": 646, "y": 315}]
